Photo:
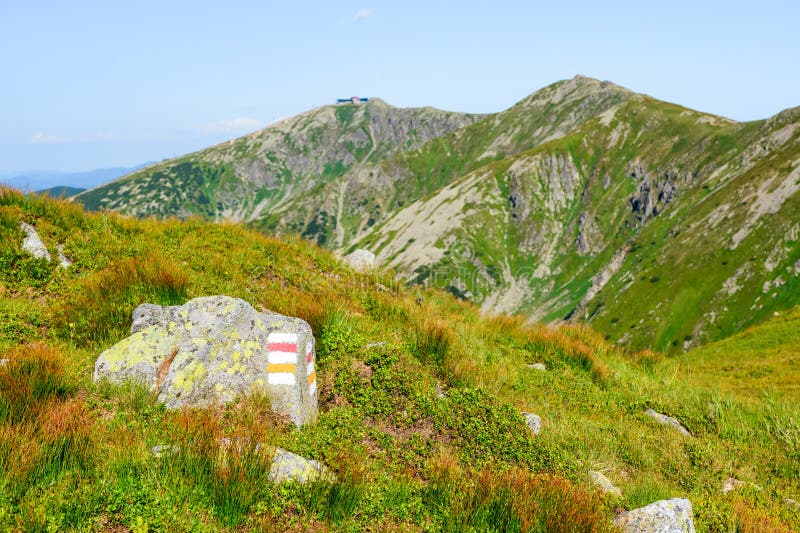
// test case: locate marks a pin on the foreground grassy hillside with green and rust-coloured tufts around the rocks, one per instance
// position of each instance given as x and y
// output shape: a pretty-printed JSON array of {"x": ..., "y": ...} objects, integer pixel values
[{"x": 76, "y": 455}]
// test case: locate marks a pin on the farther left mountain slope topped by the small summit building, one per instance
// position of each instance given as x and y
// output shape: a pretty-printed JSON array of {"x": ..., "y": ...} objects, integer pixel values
[{"x": 247, "y": 177}]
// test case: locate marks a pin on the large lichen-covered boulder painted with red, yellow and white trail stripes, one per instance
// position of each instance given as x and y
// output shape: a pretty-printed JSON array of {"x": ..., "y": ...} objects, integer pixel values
[{"x": 212, "y": 350}]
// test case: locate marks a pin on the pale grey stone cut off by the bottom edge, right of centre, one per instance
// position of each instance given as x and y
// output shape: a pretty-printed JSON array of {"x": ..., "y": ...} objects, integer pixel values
[{"x": 664, "y": 516}]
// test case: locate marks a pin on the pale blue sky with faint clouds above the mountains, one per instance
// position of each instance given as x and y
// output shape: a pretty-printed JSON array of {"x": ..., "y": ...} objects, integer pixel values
[{"x": 117, "y": 83}]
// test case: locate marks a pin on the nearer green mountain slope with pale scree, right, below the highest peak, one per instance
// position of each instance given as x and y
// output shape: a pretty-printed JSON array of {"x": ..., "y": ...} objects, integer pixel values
[{"x": 661, "y": 225}]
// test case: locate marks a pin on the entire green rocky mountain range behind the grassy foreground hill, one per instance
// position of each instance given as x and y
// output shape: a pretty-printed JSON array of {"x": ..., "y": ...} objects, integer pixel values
[{"x": 663, "y": 226}]
